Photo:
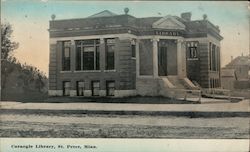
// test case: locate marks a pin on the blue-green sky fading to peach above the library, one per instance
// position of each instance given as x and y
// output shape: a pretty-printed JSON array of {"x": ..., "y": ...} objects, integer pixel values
[{"x": 30, "y": 21}]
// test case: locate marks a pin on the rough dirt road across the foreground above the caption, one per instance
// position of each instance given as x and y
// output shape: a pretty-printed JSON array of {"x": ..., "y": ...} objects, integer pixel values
[{"x": 121, "y": 126}]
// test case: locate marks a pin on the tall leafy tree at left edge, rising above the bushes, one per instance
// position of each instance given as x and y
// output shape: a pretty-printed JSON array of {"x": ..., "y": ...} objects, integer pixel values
[{"x": 7, "y": 45}]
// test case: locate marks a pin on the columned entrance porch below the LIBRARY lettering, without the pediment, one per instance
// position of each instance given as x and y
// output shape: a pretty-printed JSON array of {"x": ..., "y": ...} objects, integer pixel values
[{"x": 168, "y": 56}]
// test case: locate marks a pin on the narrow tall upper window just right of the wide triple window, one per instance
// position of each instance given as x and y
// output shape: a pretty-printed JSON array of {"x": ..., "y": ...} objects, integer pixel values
[{"x": 110, "y": 54}]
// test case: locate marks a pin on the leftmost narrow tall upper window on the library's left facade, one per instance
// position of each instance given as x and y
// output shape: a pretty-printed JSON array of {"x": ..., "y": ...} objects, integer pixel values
[{"x": 66, "y": 56}]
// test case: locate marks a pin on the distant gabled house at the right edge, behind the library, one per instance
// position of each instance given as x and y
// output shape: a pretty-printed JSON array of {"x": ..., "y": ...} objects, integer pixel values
[{"x": 236, "y": 74}]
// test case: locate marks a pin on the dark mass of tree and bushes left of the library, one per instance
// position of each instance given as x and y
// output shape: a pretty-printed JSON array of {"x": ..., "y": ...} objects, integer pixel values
[{"x": 18, "y": 80}]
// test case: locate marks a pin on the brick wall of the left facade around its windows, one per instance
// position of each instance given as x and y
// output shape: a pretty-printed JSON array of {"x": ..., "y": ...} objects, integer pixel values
[{"x": 124, "y": 74}]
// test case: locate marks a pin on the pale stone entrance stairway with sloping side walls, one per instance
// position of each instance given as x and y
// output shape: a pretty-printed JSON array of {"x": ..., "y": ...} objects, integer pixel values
[{"x": 170, "y": 86}]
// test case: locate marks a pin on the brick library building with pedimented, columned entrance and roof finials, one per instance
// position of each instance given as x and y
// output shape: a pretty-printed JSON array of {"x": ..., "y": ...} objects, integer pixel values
[{"x": 121, "y": 55}]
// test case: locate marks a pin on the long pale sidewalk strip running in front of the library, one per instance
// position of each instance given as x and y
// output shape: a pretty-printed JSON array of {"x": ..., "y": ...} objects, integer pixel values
[{"x": 243, "y": 106}]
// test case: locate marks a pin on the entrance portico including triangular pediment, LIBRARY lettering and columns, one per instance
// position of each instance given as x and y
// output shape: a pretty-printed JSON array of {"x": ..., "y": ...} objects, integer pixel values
[{"x": 168, "y": 48}]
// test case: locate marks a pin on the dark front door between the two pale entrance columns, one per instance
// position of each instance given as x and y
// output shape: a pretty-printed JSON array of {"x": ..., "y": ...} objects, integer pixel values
[{"x": 162, "y": 61}]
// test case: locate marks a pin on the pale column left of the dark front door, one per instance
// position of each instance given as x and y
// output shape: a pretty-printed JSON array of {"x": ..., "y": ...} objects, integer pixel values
[{"x": 155, "y": 58}]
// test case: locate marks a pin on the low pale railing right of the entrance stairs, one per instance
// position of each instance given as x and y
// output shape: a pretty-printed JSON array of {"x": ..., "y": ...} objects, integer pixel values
[{"x": 217, "y": 93}]
